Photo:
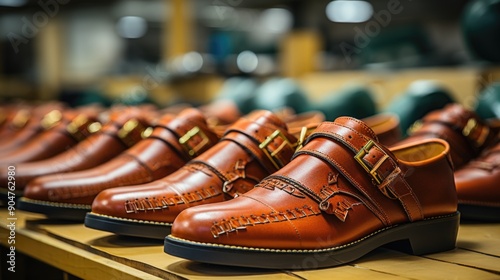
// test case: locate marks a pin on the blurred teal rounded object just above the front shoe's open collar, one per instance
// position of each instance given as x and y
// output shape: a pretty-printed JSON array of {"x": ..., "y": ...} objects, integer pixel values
[{"x": 420, "y": 98}]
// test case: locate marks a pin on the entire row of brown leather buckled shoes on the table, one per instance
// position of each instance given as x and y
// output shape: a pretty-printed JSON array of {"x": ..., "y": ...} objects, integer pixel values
[{"x": 267, "y": 189}]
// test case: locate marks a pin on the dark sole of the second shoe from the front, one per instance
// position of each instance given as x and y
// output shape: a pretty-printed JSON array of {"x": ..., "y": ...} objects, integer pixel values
[{"x": 128, "y": 227}]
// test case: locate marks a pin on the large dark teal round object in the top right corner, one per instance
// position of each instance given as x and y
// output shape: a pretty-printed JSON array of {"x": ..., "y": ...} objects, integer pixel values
[{"x": 481, "y": 29}]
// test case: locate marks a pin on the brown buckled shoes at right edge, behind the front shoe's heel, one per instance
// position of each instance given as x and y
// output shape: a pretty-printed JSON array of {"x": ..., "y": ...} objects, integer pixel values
[{"x": 475, "y": 152}]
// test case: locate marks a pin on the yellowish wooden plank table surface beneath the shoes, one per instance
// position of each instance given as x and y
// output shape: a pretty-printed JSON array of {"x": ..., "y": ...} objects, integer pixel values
[{"x": 93, "y": 254}]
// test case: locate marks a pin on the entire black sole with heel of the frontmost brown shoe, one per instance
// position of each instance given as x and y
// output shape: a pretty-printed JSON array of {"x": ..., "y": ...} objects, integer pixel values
[{"x": 418, "y": 238}]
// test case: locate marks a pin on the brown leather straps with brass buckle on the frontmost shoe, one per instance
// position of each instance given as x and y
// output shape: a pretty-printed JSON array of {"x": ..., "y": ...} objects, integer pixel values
[{"x": 374, "y": 160}]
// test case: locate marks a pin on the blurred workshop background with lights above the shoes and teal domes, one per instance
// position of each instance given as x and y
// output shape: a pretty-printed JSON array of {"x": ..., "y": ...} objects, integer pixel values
[{"x": 171, "y": 51}]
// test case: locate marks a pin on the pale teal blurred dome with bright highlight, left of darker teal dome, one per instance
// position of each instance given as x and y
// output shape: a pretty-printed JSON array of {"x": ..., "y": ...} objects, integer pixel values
[{"x": 278, "y": 93}]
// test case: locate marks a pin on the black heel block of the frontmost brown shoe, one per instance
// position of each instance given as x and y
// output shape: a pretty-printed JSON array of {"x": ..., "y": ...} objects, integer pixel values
[{"x": 430, "y": 236}]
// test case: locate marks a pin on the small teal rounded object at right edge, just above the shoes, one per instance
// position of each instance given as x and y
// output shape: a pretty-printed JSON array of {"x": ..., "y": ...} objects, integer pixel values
[{"x": 488, "y": 102}]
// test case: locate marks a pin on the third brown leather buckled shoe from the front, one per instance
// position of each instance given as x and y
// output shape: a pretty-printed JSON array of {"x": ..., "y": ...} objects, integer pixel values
[{"x": 172, "y": 143}]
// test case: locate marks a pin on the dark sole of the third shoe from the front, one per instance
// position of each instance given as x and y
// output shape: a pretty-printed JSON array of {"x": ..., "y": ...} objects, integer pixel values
[{"x": 55, "y": 210}]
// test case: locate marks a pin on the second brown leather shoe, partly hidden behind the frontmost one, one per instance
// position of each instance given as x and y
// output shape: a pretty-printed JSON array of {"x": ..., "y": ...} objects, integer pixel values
[{"x": 232, "y": 167}]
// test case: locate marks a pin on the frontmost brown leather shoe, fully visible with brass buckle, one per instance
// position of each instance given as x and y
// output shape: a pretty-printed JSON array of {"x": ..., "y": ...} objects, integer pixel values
[{"x": 341, "y": 196}]
